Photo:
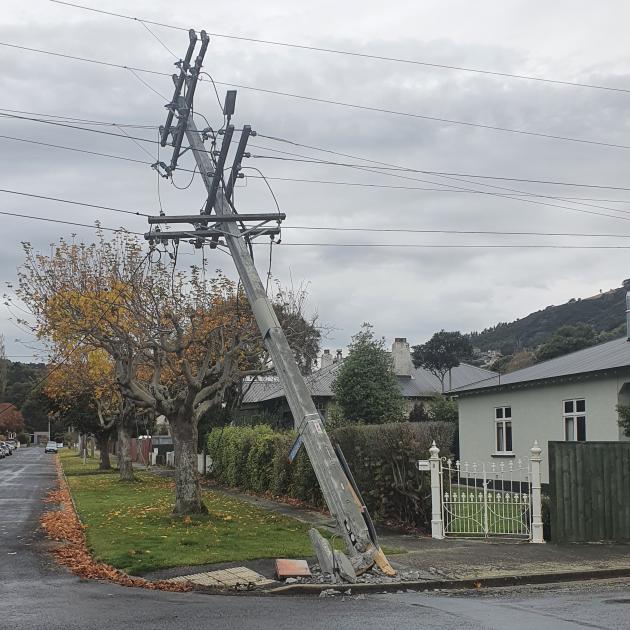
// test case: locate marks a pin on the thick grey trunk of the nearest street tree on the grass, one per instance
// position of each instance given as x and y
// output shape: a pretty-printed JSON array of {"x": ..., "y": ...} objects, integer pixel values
[{"x": 187, "y": 487}]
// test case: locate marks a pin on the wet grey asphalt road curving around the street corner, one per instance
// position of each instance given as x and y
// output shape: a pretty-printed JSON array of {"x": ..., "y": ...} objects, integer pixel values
[{"x": 35, "y": 593}]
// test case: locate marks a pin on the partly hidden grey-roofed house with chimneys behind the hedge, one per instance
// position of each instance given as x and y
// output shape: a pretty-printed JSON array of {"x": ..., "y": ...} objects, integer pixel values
[{"x": 416, "y": 384}]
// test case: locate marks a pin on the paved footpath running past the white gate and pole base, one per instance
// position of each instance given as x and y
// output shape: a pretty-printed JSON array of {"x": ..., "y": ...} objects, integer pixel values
[{"x": 444, "y": 564}]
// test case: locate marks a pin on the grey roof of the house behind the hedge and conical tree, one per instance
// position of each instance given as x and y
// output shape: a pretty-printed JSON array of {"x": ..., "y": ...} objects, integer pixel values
[{"x": 421, "y": 384}]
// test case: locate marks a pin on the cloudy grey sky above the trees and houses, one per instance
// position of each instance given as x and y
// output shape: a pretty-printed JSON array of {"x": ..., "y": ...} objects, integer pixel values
[{"x": 413, "y": 287}]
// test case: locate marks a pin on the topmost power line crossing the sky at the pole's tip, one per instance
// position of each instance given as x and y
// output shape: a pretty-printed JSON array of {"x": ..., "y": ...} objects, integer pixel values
[{"x": 357, "y": 54}]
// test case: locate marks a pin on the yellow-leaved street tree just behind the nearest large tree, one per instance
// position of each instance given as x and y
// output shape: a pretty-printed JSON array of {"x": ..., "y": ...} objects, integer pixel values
[{"x": 78, "y": 297}]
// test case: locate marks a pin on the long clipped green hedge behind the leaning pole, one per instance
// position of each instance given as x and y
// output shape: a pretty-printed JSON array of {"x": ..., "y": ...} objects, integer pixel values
[{"x": 381, "y": 457}]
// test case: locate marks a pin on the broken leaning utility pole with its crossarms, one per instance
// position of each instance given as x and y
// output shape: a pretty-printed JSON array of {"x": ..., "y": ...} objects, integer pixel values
[{"x": 342, "y": 499}]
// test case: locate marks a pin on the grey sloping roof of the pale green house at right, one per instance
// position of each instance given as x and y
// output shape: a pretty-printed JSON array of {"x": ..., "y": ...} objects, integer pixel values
[{"x": 605, "y": 356}]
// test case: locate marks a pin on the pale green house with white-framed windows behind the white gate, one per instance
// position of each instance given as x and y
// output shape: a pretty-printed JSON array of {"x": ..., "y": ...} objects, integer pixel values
[{"x": 572, "y": 397}]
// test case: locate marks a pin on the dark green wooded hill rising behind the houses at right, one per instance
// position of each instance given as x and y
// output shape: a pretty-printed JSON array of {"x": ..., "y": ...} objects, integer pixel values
[{"x": 605, "y": 312}]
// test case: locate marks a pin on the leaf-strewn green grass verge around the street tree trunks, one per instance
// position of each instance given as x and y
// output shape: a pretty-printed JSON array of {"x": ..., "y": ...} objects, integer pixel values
[{"x": 129, "y": 525}]
